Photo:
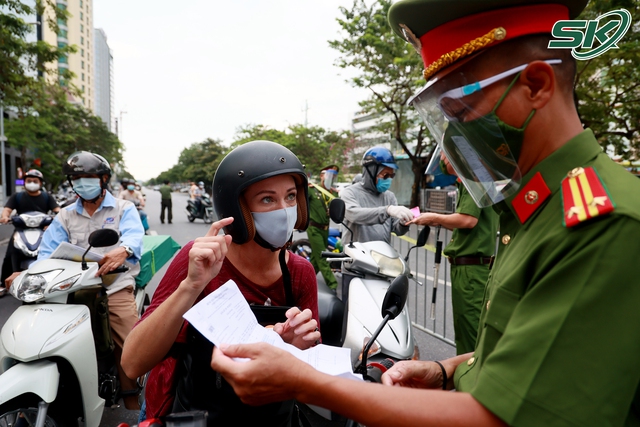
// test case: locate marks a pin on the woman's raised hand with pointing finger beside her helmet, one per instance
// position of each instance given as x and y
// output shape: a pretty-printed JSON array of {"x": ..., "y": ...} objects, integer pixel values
[{"x": 206, "y": 256}]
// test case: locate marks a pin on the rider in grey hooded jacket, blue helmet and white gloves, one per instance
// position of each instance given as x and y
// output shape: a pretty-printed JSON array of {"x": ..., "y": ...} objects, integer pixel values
[{"x": 372, "y": 211}]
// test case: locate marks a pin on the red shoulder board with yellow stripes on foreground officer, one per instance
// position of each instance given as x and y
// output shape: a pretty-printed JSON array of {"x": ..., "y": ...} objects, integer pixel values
[{"x": 584, "y": 196}]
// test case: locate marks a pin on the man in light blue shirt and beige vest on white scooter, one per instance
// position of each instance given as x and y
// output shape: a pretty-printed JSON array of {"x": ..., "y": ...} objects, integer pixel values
[{"x": 89, "y": 174}]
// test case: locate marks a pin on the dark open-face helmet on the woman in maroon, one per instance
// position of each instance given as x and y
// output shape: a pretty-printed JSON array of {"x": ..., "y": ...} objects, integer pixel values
[{"x": 245, "y": 165}]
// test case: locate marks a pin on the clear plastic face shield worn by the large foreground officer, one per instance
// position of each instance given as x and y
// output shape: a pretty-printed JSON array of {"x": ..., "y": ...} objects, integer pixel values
[{"x": 461, "y": 120}]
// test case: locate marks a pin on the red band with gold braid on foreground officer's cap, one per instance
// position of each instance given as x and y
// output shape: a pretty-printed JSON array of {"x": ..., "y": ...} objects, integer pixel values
[{"x": 459, "y": 38}]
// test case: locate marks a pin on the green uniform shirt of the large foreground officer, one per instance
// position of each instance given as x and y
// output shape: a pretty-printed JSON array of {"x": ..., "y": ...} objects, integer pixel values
[{"x": 558, "y": 342}]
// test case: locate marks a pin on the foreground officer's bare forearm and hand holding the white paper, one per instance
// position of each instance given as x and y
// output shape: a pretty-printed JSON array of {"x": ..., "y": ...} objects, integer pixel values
[{"x": 274, "y": 375}]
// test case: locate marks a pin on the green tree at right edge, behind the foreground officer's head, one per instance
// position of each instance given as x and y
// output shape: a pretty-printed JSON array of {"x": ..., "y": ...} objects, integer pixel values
[{"x": 608, "y": 86}]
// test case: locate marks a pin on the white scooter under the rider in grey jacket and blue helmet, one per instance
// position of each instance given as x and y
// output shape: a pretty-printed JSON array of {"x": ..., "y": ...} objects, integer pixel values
[{"x": 374, "y": 280}]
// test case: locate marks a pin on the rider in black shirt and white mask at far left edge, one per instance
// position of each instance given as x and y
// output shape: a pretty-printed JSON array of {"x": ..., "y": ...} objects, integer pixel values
[{"x": 30, "y": 200}]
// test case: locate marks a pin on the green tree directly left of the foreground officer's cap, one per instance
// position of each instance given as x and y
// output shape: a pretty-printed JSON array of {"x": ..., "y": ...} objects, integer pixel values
[{"x": 392, "y": 71}]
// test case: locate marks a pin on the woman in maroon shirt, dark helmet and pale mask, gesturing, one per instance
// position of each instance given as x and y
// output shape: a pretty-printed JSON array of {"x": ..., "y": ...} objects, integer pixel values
[{"x": 260, "y": 192}]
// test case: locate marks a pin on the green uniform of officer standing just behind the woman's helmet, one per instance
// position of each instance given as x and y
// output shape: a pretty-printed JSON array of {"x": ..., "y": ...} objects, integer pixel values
[{"x": 318, "y": 233}]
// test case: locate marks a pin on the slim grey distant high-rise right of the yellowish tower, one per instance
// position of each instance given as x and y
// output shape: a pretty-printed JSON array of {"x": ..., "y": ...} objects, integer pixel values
[{"x": 103, "y": 72}]
